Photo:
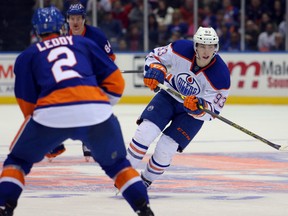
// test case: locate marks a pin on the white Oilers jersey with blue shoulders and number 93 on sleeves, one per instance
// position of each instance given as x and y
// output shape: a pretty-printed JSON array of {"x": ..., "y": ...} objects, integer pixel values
[{"x": 211, "y": 83}]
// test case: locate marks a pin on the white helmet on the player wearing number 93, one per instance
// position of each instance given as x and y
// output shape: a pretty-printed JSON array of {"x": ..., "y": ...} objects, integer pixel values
[{"x": 206, "y": 35}]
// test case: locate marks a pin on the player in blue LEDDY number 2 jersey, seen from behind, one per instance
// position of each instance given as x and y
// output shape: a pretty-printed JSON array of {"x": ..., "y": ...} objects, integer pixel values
[{"x": 65, "y": 87}]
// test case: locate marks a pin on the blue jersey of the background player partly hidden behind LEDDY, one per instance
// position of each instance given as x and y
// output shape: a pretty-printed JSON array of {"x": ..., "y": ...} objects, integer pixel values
[{"x": 97, "y": 35}]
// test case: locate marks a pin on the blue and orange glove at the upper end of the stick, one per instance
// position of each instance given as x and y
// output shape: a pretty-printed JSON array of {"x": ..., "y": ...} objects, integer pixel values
[{"x": 154, "y": 75}]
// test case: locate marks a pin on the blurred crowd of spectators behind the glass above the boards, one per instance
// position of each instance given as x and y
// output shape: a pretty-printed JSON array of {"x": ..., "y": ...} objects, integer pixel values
[{"x": 169, "y": 20}]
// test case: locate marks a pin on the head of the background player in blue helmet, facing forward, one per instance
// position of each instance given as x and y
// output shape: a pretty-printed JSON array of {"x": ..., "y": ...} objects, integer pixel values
[{"x": 76, "y": 18}]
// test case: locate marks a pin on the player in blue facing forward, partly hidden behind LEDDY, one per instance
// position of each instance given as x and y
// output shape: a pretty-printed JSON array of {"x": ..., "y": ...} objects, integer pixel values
[{"x": 76, "y": 16}]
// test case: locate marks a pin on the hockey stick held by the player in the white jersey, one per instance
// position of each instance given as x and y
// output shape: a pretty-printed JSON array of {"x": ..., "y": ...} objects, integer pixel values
[{"x": 182, "y": 97}]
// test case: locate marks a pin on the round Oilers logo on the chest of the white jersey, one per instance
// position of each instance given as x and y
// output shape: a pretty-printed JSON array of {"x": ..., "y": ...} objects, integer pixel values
[{"x": 187, "y": 84}]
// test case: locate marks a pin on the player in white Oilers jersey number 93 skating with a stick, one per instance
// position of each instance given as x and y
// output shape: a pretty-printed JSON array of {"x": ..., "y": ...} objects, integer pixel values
[{"x": 196, "y": 71}]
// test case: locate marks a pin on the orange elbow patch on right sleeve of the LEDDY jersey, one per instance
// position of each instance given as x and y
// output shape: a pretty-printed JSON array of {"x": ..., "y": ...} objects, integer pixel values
[{"x": 114, "y": 83}]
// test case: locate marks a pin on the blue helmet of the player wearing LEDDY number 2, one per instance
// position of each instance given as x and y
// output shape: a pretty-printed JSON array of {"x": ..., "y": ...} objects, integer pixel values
[{"x": 48, "y": 20}]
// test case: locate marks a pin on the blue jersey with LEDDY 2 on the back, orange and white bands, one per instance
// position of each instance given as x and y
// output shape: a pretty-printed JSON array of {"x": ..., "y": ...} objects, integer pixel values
[{"x": 67, "y": 81}]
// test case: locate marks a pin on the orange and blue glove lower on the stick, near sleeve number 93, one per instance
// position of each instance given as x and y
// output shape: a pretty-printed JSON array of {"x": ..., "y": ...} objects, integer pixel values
[{"x": 192, "y": 103}]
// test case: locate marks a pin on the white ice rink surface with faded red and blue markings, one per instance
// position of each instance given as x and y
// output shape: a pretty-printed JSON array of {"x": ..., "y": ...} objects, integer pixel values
[{"x": 223, "y": 171}]
